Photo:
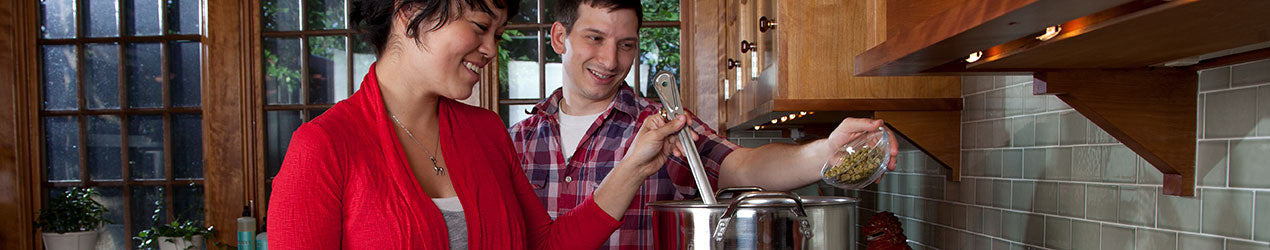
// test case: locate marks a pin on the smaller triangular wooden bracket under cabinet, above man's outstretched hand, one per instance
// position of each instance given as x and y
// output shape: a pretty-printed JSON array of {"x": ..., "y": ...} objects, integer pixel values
[{"x": 938, "y": 134}]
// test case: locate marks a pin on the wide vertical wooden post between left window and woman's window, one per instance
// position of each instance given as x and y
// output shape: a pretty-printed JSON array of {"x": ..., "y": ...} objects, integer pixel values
[{"x": 229, "y": 70}]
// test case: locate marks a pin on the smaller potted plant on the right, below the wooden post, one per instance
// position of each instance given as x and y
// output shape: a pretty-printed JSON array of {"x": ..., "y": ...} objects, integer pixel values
[{"x": 178, "y": 235}]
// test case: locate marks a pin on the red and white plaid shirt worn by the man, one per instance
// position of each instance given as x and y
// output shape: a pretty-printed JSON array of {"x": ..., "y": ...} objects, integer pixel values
[{"x": 565, "y": 183}]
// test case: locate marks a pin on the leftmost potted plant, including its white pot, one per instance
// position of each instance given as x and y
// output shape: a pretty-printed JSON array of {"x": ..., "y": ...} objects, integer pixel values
[{"x": 72, "y": 221}]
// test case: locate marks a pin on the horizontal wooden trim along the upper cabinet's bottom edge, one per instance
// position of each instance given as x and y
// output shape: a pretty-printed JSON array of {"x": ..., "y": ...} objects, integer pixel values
[{"x": 867, "y": 105}]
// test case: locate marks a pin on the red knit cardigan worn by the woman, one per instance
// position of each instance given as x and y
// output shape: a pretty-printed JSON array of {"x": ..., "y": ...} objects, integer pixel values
[{"x": 346, "y": 185}]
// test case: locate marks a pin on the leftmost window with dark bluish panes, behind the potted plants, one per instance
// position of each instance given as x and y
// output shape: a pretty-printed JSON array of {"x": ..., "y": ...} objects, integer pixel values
[{"x": 121, "y": 109}]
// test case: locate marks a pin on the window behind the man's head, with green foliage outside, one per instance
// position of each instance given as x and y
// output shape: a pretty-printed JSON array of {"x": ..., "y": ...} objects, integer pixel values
[{"x": 529, "y": 70}]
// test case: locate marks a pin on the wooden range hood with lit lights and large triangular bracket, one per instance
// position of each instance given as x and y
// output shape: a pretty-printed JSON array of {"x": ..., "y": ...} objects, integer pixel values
[{"x": 1128, "y": 67}]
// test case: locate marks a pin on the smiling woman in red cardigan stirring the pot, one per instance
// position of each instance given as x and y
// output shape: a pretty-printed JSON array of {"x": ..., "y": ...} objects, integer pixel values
[{"x": 402, "y": 166}]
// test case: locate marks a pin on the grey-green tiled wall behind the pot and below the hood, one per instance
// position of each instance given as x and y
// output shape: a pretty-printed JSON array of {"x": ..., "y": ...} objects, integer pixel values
[{"x": 1039, "y": 176}]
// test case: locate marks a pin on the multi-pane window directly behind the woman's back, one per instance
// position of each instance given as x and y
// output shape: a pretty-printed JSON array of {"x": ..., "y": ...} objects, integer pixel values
[{"x": 312, "y": 60}]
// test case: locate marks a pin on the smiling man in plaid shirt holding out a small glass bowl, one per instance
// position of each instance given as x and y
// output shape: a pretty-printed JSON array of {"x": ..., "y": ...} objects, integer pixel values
[{"x": 576, "y": 136}]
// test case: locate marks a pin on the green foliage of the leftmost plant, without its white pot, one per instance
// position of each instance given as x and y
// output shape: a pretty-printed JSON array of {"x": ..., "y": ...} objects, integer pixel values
[{"x": 76, "y": 211}]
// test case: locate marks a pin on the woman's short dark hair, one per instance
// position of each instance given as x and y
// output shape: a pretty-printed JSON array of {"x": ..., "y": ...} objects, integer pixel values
[{"x": 374, "y": 18}]
